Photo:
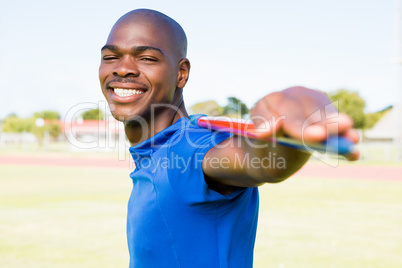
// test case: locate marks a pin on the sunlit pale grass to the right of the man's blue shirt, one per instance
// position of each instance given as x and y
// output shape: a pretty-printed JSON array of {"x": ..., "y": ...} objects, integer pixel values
[{"x": 308, "y": 222}]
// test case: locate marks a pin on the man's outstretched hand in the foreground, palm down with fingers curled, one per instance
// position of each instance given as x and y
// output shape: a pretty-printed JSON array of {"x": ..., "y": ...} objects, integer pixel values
[{"x": 304, "y": 114}]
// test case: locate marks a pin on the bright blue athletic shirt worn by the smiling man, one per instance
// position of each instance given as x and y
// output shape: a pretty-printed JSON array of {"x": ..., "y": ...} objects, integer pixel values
[{"x": 174, "y": 219}]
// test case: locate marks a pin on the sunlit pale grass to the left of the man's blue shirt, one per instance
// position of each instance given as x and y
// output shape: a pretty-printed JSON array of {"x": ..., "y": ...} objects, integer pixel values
[{"x": 63, "y": 217}]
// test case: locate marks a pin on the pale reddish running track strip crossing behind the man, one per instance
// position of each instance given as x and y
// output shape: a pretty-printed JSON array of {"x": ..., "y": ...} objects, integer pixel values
[{"x": 313, "y": 170}]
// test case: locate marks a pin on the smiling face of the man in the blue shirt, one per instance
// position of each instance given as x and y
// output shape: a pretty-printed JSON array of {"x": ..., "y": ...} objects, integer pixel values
[{"x": 139, "y": 67}]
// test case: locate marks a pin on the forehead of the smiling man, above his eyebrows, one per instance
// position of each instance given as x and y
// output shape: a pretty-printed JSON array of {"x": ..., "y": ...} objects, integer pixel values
[{"x": 126, "y": 35}]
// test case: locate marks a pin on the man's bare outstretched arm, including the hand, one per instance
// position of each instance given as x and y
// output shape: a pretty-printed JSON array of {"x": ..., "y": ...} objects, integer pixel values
[{"x": 301, "y": 113}]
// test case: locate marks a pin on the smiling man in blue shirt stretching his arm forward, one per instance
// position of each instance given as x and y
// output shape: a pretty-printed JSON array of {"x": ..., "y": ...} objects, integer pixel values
[{"x": 192, "y": 203}]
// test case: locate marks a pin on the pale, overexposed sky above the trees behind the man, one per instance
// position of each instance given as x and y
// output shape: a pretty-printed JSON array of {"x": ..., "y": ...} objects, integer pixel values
[{"x": 50, "y": 50}]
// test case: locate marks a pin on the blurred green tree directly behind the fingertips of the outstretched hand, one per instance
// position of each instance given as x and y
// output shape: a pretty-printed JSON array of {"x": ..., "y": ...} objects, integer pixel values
[{"x": 350, "y": 103}]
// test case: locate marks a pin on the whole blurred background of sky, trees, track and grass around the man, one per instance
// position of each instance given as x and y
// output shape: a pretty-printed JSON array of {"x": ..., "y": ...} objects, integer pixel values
[{"x": 64, "y": 163}]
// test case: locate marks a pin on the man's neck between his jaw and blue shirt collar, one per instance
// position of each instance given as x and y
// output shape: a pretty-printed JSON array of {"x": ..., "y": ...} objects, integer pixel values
[{"x": 165, "y": 117}]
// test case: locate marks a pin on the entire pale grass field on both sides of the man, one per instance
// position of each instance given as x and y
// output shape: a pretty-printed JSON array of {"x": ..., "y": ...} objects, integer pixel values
[{"x": 75, "y": 217}]
